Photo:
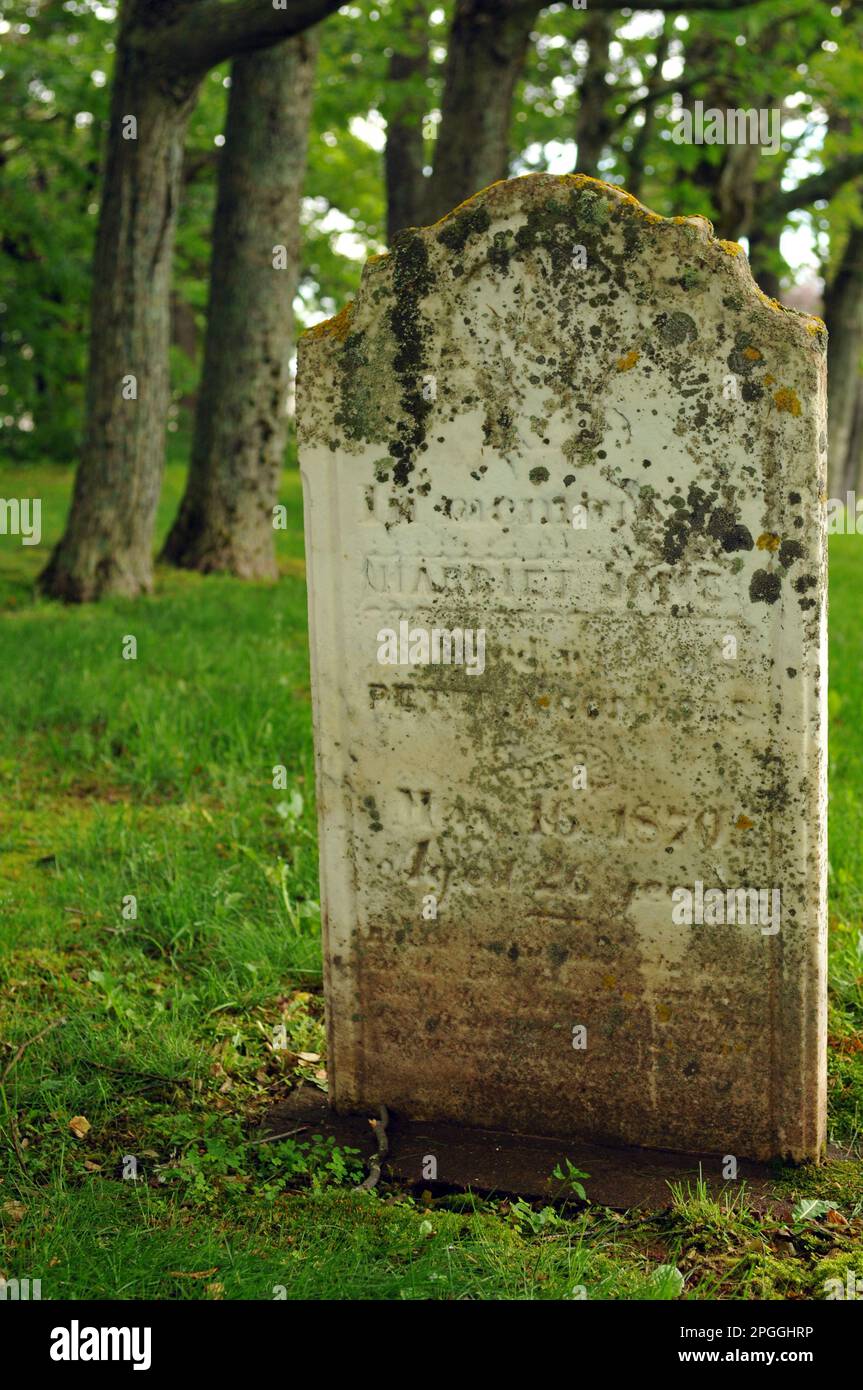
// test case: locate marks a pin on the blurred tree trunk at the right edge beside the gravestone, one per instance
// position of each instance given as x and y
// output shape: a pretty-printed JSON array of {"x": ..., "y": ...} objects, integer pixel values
[{"x": 844, "y": 316}]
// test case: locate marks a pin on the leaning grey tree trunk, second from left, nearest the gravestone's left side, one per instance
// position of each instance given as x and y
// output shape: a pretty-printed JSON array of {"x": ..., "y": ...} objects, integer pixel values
[{"x": 241, "y": 425}]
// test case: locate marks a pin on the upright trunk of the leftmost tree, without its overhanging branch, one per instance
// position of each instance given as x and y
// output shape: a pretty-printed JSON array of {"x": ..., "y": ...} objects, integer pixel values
[{"x": 108, "y": 543}]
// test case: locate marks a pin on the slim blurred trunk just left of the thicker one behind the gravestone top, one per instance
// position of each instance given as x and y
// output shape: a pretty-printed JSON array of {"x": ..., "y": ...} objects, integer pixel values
[{"x": 405, "y": 108}]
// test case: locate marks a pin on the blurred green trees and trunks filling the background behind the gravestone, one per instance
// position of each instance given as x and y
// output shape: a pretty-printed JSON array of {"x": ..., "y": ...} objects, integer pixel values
[{"x": 279, "y": 148}]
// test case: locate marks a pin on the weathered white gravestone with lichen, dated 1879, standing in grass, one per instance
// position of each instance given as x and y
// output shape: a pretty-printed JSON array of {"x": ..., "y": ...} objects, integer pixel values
[{"x": 564, "y": 468}]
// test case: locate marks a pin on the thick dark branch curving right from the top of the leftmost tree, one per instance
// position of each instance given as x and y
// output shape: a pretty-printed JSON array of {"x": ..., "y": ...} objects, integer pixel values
[{"x": 213, "y": 31}]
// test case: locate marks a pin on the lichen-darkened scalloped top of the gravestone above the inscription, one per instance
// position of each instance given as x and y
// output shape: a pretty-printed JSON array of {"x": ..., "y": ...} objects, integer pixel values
[{"x": 533, "y": 302}]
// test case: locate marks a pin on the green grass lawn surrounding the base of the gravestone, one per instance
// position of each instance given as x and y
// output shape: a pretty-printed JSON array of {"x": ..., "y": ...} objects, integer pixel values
[{"x": 155, "y": 779}]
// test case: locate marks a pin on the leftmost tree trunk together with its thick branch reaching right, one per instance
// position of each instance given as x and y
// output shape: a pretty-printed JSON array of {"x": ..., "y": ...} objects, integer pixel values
[{"x": 163, "y": 51}]
